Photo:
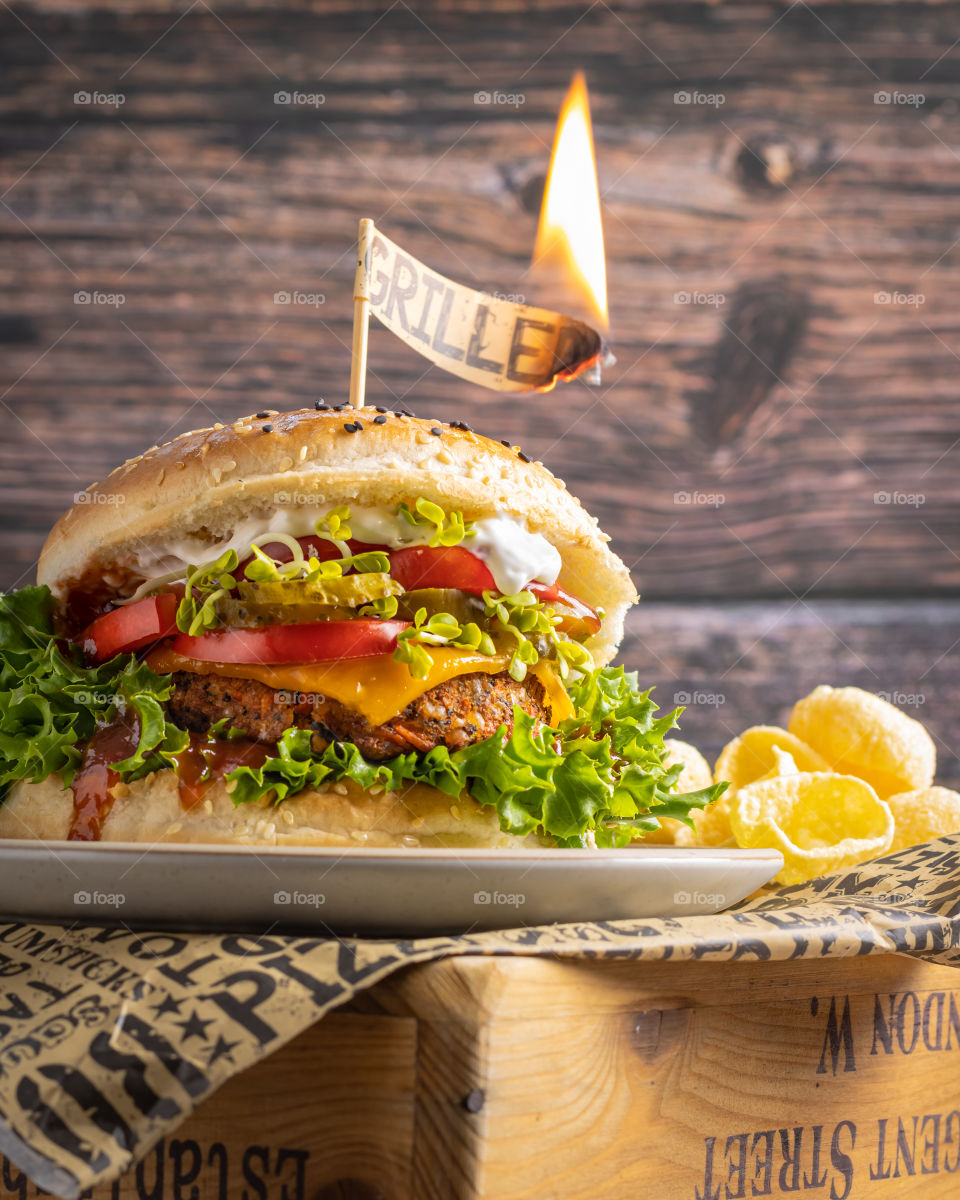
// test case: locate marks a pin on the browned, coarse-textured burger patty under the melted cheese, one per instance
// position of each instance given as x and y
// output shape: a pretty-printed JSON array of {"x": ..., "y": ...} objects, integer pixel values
[{"x": 458, "y": 713}]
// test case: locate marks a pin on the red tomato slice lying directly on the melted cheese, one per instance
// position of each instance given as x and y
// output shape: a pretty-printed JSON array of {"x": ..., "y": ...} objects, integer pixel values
[{"x": 361, "y": 639}]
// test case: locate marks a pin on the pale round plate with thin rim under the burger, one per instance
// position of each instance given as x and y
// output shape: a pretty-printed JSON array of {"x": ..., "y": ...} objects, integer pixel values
[{"x": 371, "y": 892}]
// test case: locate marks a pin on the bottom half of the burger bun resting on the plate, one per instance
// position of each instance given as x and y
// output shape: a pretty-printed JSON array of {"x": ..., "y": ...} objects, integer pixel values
[{"x": 149, "y": 811}]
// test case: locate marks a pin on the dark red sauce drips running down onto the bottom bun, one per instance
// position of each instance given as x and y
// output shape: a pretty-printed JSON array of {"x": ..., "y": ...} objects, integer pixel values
[{"x": 205, "y": 761}]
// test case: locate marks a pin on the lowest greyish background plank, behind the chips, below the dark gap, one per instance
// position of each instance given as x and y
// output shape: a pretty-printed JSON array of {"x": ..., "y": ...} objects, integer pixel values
[{"x": 735, "y": 665}]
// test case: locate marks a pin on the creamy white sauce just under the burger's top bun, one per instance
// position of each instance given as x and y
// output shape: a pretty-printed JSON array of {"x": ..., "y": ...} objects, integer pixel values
[{"x": 514, "y": 555}]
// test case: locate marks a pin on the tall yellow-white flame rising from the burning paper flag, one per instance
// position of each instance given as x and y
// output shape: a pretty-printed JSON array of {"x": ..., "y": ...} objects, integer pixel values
[{"x": 571, "y": 237}]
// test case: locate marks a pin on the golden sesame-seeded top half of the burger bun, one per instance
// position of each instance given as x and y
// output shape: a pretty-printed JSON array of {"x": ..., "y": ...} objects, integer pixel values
[{"x": 199, "y": 489}]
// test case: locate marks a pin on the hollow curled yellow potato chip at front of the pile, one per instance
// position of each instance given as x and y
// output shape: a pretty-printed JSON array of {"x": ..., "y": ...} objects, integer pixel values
[{"x": 820, "y": 823}]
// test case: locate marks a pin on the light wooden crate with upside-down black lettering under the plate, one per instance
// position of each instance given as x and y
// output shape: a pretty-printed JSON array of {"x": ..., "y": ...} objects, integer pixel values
[{"x": 533, "y": 1078}]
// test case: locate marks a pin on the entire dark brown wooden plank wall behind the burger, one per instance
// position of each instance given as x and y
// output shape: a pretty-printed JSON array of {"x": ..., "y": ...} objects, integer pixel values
[{"x": 776, "y": 459}]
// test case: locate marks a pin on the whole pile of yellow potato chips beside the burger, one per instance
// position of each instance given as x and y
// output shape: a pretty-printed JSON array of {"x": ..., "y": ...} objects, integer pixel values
[{"x": 851, "y": 778}]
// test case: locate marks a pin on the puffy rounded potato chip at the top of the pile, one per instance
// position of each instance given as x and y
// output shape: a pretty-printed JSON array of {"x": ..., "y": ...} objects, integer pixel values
[{"x": 861, "y": 735}]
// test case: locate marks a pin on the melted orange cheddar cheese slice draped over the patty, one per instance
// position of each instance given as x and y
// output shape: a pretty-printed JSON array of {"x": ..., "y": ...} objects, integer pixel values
[{"x": 377, "y": 688}]
